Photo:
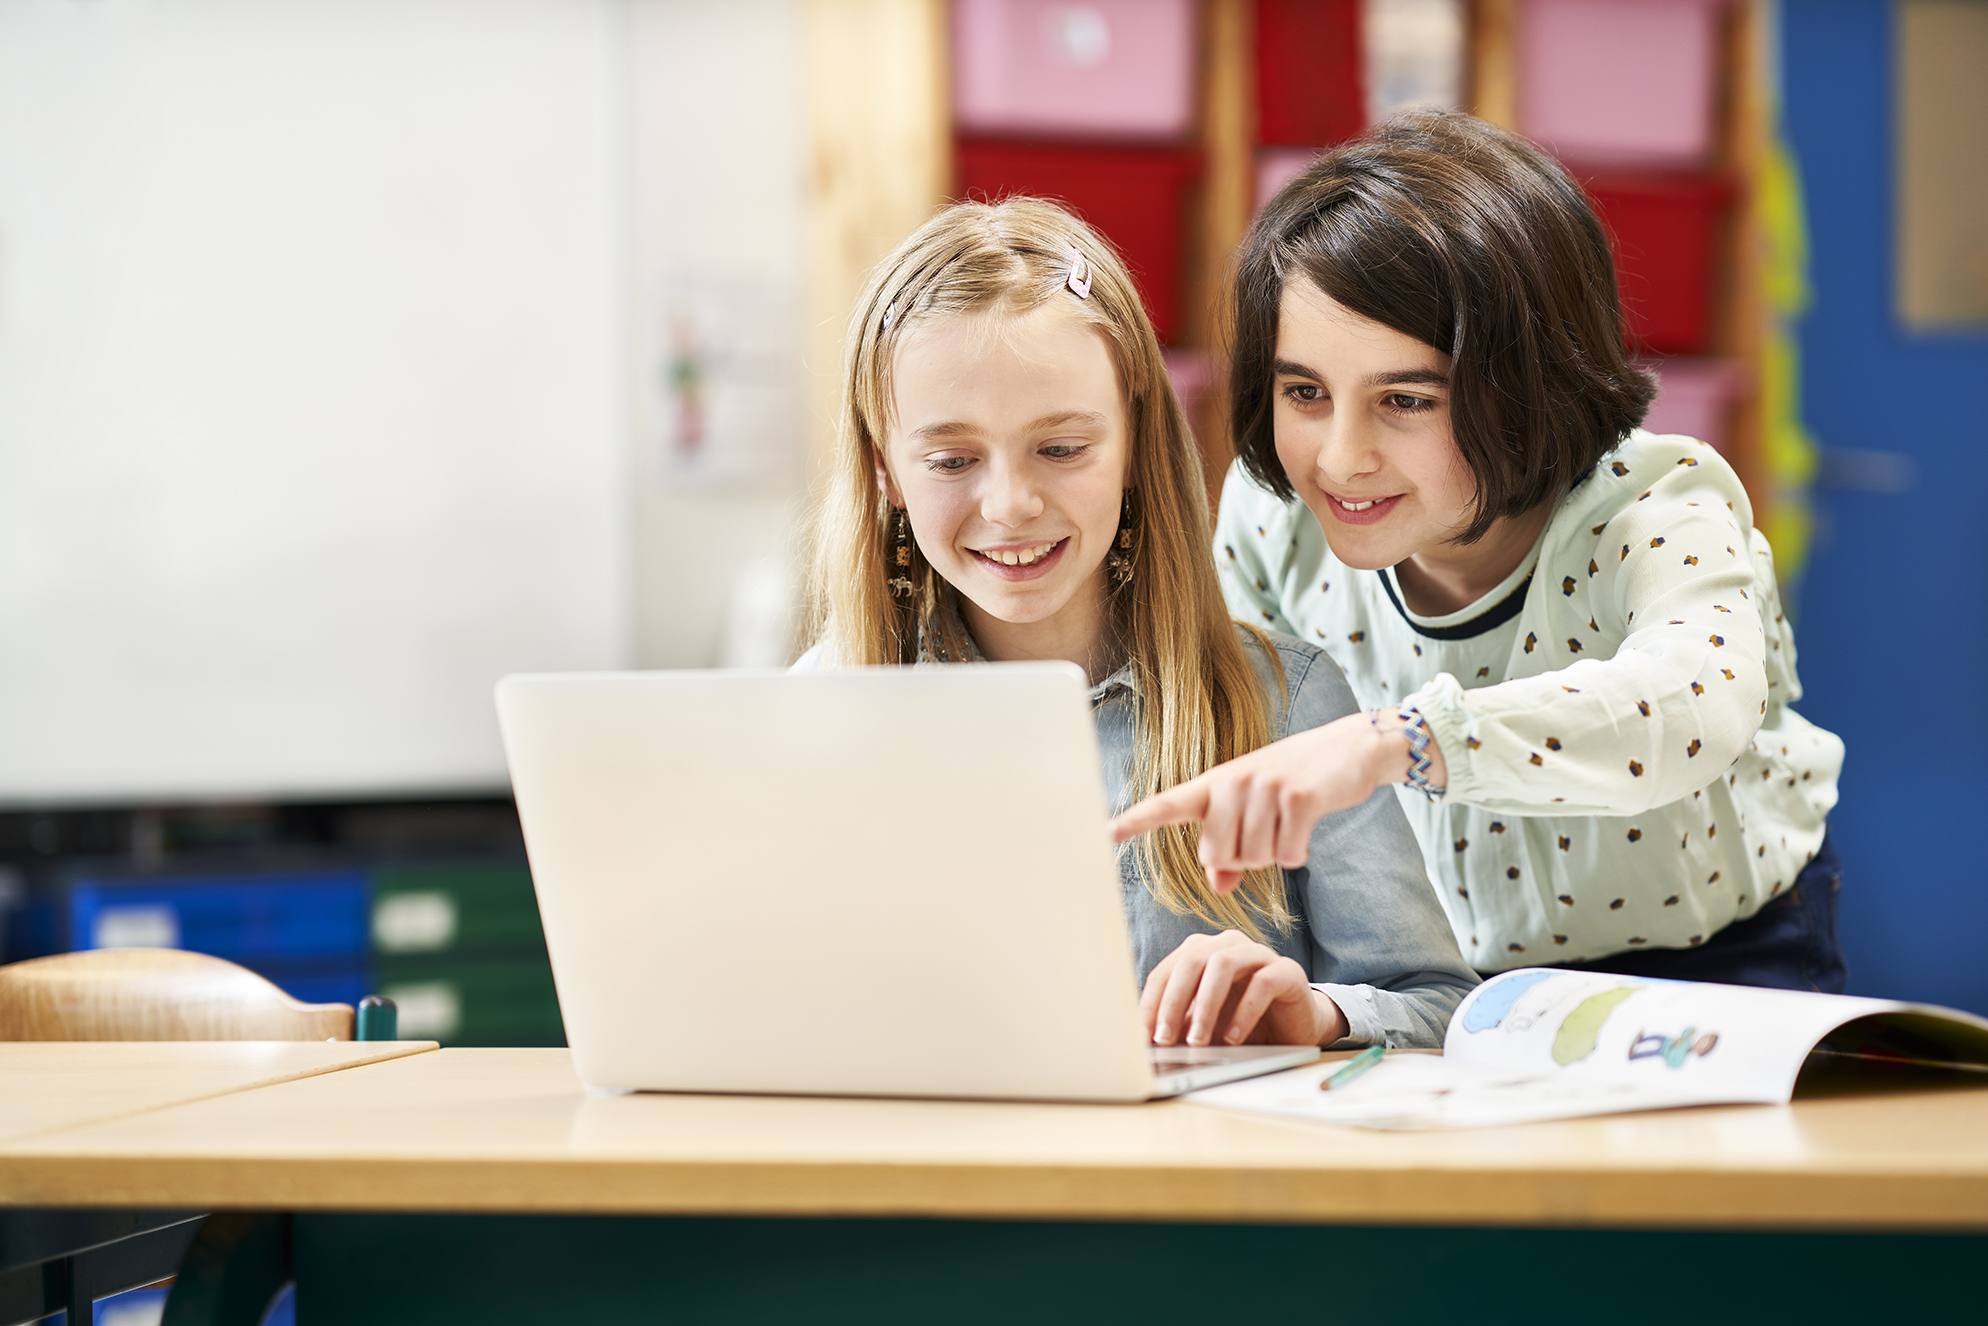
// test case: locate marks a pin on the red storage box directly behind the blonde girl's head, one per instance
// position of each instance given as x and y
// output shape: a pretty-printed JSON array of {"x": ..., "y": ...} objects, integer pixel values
[{"x": 1134, "y": 196}]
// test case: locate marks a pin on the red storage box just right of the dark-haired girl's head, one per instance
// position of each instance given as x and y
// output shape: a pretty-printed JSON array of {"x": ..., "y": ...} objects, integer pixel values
[{"x": 1665, "y": 234}]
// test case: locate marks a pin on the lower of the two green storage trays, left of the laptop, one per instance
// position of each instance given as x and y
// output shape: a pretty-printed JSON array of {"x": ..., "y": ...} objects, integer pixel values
[{"x": 492, "y": 1003}]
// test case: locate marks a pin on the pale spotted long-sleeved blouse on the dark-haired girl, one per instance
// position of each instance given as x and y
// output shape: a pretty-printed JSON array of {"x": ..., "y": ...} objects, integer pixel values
[{"x": 1623, "y": 764}]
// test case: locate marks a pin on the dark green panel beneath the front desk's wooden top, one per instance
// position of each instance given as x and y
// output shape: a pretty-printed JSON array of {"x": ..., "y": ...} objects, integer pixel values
[{"x": 420, "y": 1269}]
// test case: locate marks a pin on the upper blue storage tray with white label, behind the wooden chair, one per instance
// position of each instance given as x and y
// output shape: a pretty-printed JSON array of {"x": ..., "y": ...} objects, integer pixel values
[{"x": 242, "y": 917}]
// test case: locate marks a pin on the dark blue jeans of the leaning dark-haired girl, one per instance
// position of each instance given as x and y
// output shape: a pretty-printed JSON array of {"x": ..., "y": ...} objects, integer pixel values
[{"x": 1790, "y": 943}]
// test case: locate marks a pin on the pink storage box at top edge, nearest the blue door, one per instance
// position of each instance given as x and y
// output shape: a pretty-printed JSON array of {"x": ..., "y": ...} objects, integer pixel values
[{"x": 1621, "y": 83}]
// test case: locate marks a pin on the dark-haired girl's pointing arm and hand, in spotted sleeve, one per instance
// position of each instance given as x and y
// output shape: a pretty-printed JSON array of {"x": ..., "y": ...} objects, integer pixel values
[{"x": 1657, "y": 693}]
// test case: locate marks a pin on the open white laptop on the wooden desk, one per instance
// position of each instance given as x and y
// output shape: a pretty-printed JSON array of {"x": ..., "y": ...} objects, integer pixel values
[{"x": 884, "y": 882}]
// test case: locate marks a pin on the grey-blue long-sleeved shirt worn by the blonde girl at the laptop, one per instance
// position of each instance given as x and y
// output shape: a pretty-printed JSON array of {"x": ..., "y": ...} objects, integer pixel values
[{"x": 1371, "y": 931}]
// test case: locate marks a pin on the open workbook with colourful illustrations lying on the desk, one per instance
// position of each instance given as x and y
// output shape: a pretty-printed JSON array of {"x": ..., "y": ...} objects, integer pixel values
[{"x": 1552, "y": 1045}]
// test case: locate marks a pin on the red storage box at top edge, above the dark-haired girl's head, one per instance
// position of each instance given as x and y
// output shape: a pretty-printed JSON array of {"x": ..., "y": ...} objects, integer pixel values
[{"x": 1311, "y": 90}]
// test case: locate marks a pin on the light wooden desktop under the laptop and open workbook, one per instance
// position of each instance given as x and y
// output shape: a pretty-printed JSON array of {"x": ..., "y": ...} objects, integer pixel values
[{"x": 512, "y": 1130}]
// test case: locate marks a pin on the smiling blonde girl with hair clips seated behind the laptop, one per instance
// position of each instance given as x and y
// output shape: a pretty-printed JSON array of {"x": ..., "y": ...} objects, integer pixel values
[{"x": 1015, "y": 480}]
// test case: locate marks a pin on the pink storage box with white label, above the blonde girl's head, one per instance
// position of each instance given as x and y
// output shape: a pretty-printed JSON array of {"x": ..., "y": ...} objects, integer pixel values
[{"x": 1100, "y": 71}]
